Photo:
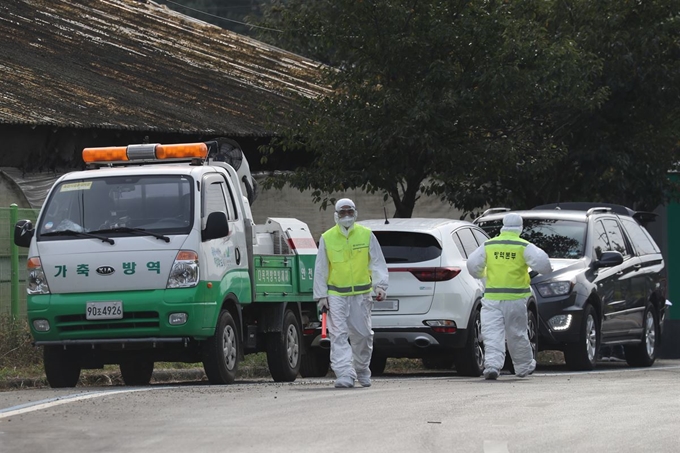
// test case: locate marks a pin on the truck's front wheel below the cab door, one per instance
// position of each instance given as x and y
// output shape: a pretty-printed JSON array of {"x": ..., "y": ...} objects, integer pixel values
[{"x": 221, "y": 352}]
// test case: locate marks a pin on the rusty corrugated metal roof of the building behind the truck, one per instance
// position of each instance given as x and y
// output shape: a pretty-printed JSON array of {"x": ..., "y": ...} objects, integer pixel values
[{"x": 138, "y": 65}]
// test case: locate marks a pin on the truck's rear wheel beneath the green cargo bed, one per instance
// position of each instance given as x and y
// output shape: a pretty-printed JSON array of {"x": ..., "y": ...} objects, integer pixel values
[{"x": 284, "y": 350}]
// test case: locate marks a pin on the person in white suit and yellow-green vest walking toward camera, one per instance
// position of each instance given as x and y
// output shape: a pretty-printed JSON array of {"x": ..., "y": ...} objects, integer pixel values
[{"x": 350, "y": 267}]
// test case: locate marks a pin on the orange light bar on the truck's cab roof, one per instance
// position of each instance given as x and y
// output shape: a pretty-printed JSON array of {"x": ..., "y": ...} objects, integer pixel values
[{"x": 145, "y": 152}]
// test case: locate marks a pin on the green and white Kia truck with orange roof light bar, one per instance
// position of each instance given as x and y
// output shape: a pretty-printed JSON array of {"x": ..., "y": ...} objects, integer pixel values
[{"x": 151, "y": 255}]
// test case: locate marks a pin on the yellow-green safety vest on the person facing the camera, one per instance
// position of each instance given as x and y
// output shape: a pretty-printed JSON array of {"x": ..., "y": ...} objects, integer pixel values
[{"x": 348, "y": 261}]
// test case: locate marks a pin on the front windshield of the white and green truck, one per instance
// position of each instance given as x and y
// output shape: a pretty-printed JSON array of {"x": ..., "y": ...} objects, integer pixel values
[{"x": 160, "y": 204}]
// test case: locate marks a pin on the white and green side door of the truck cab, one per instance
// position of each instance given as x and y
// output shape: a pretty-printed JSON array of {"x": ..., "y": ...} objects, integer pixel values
[{"x": 226, "y": 257}]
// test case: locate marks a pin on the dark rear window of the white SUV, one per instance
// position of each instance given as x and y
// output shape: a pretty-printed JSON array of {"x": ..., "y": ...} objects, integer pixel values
[{"x": 403, "y": 247}]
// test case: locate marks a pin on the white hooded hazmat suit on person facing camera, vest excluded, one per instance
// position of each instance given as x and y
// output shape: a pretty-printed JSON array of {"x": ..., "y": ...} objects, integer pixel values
[{"x": 349, "y": 317}]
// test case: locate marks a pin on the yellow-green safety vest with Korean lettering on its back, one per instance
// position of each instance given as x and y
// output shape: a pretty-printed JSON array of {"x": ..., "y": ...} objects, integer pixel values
[{"x": 507, "y": 274}]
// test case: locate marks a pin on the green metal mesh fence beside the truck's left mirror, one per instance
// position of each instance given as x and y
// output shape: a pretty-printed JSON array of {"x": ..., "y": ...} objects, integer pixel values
[{"x": 13, "y": 262}]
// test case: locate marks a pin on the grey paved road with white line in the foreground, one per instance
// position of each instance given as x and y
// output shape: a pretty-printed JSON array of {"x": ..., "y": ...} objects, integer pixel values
[{"x": 616, "y": 409}]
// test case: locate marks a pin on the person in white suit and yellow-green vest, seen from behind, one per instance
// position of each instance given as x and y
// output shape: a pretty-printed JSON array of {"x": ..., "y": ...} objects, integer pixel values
[{"x": 504, "y": 261}]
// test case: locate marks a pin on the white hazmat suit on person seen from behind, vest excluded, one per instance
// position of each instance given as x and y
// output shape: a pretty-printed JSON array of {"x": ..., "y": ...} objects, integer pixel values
[{"x": 507, "y": 319}]
